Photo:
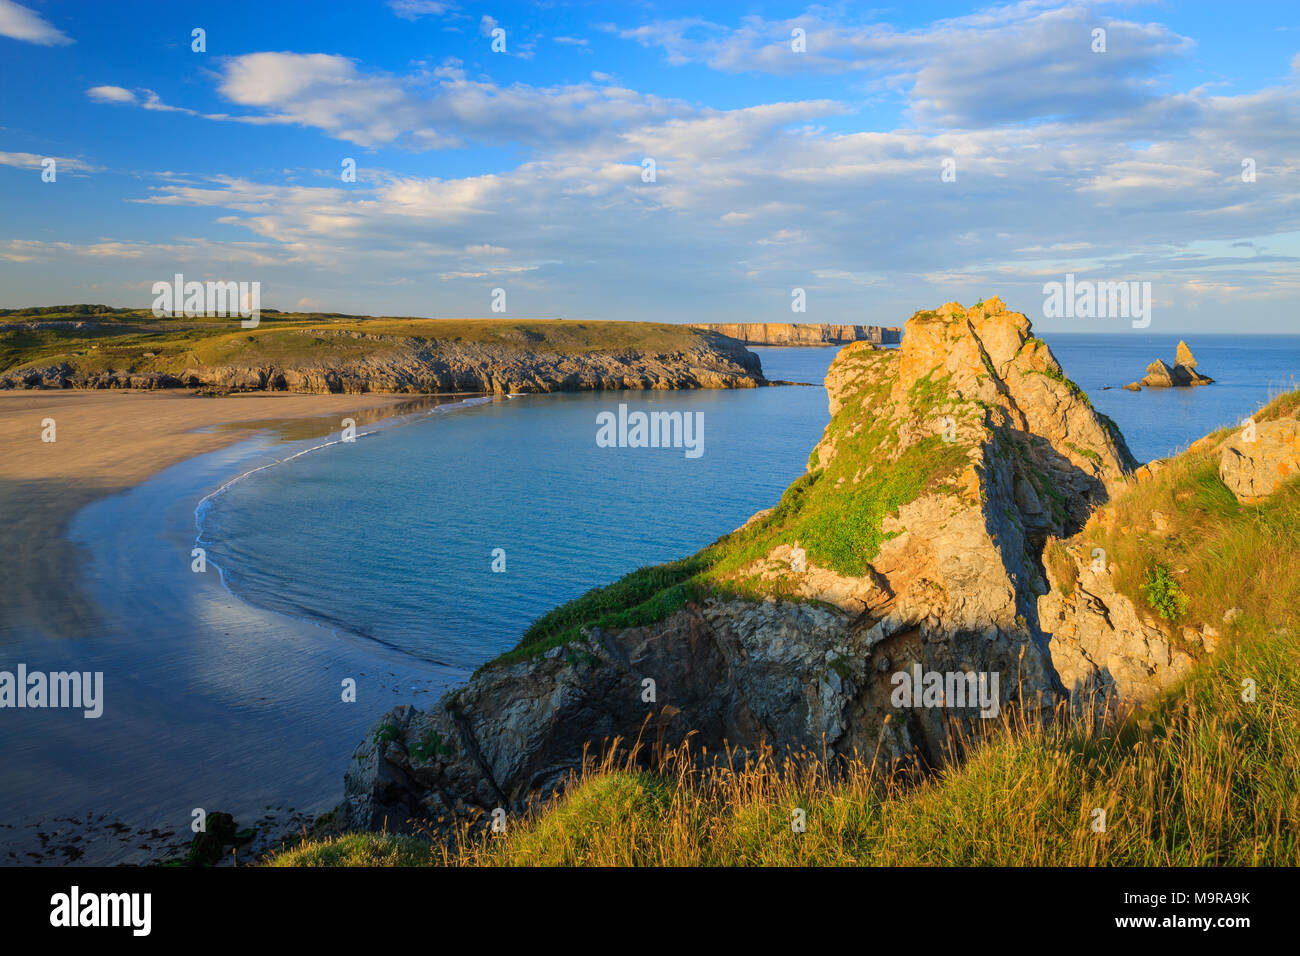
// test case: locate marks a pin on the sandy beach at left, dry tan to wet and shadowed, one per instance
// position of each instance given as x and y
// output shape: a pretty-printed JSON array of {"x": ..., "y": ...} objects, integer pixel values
[{"x": 209, "y": 702}]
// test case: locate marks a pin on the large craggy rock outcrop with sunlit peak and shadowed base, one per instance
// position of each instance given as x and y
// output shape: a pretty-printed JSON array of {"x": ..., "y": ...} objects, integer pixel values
[{"x": 954, "y": 587}]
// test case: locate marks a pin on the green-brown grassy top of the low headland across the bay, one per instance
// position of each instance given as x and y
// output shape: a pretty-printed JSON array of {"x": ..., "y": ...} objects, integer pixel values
[{"x": 98, "y": 339}]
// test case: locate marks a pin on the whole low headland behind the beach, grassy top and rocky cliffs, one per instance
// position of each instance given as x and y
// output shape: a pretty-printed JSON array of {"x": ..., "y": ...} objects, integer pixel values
[{"x": 328, "y": 356}]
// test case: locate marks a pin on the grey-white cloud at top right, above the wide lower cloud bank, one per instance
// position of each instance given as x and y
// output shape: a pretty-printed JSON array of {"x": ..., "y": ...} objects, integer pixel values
[{"x": 1006, "y": 64}]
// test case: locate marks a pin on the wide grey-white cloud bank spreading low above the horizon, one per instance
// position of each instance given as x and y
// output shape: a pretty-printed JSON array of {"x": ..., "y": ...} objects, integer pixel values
[{"x": 756, "y": 201}]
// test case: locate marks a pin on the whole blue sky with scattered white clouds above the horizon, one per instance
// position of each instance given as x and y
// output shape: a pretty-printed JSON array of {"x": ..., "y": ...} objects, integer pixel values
[{"x": 904, "y": 158}]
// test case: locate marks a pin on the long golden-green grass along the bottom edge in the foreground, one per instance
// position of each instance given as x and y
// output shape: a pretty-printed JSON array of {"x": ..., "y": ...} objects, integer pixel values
[{"x": 1199, "y": 780}]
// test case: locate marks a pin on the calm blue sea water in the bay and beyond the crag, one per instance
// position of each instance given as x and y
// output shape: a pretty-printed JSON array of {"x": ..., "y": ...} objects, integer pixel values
[{"x": 392, "y": 539}]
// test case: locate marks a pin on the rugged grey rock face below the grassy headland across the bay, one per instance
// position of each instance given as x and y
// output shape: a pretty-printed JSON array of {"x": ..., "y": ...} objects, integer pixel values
[{"x": 402, "y": 365}]
